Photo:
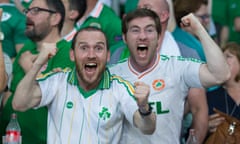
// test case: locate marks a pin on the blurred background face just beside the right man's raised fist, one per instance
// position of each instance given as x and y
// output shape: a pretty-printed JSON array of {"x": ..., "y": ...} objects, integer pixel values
[{"x": 203, "y": 15}]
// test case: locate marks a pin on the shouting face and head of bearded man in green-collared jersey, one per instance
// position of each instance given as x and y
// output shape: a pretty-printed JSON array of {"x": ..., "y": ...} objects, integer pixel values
[{"x": 91, "y": 55}]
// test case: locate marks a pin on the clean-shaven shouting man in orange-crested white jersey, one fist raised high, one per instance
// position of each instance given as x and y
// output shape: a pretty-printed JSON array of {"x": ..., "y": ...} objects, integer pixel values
[{"x": 169, "y": 77}]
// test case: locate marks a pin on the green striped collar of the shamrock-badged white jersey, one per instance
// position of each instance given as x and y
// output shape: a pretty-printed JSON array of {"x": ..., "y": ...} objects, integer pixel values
[{"x": 104, "y": 83}]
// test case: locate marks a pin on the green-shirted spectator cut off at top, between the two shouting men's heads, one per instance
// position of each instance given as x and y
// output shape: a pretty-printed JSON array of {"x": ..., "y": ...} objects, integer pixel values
[{"x": 102, "y": 16}]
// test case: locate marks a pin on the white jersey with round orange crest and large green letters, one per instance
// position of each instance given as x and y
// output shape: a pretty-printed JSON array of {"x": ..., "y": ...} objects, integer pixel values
[{"x": 169, "y": 79}]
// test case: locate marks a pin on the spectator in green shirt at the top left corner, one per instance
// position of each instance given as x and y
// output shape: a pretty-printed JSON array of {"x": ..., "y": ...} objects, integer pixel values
[{"x": 13, "y": 26}]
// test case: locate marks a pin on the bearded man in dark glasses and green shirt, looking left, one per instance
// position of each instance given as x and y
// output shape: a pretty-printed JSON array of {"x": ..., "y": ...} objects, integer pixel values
[{"x": 45, "y": 20}]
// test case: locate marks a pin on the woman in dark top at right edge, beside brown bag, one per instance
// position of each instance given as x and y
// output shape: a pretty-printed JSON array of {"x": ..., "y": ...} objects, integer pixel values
[{"x": 226, "y": 98}]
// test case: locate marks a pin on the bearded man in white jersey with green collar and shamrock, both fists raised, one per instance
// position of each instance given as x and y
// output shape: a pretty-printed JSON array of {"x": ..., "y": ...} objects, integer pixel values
[{"x": 86, "y": 104}]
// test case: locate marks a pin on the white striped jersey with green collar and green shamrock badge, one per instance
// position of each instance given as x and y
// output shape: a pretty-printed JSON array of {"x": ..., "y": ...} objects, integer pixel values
[{"x": 93, "y": 117}]
